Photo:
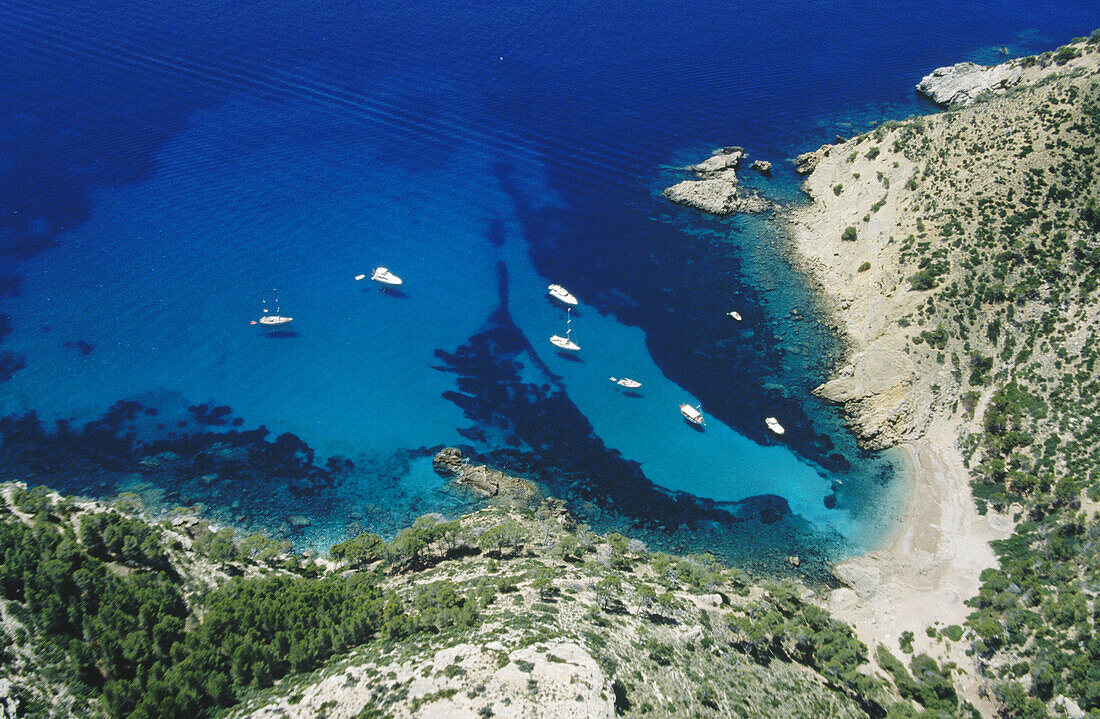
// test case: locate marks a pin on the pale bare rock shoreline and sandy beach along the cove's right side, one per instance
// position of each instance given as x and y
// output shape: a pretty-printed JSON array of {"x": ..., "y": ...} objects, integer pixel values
[{"x": 873, "y": 200}]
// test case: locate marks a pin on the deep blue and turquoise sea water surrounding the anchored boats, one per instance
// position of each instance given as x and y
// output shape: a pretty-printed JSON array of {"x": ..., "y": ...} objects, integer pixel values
[{"x": 168, "y": 168}]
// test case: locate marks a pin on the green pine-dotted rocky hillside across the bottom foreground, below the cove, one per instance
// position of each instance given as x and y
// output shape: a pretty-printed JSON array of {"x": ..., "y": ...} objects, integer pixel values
[{"x": 507, "y": 613}]
